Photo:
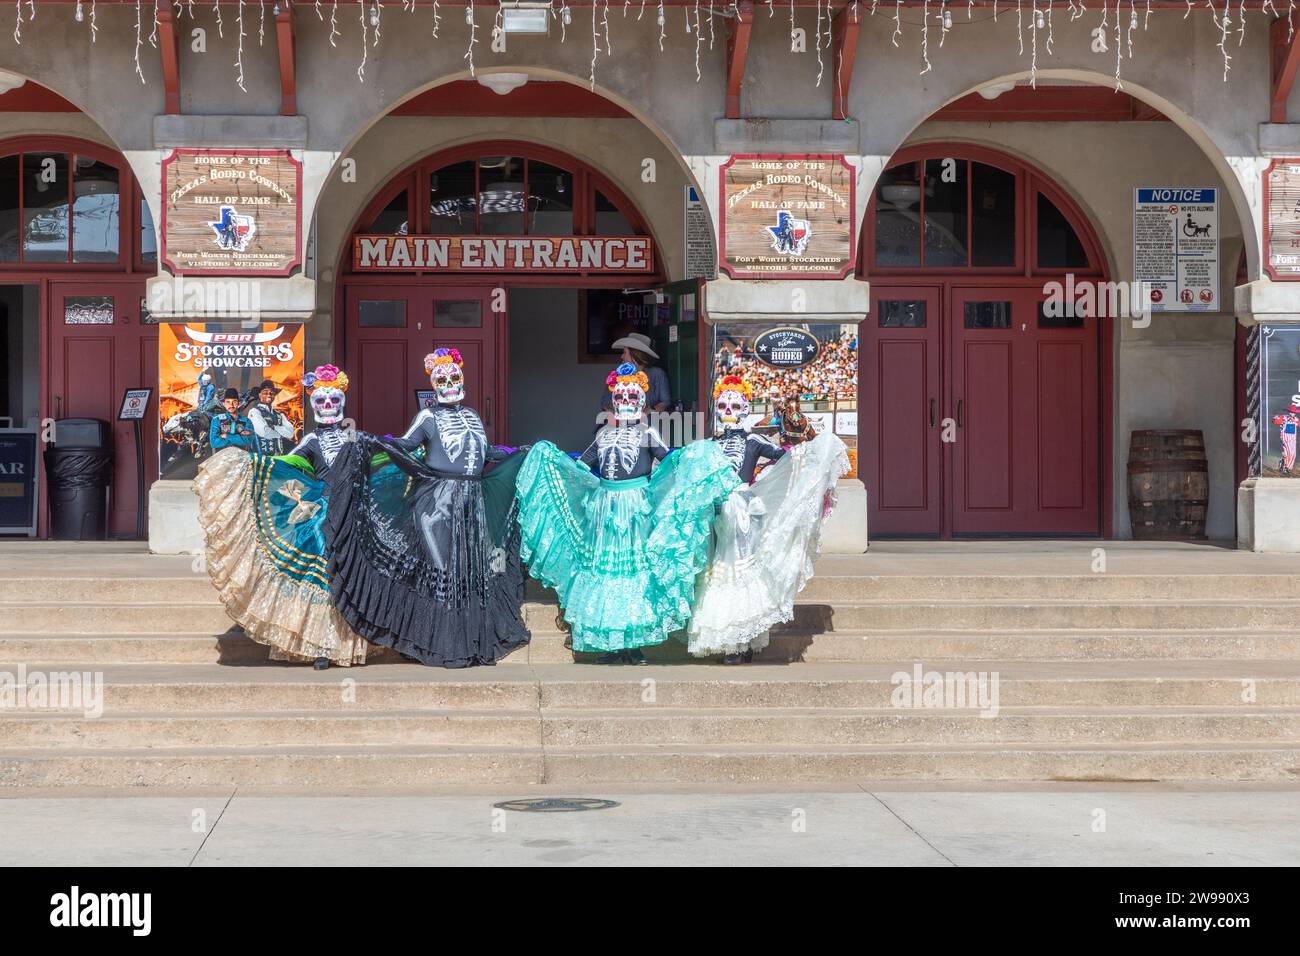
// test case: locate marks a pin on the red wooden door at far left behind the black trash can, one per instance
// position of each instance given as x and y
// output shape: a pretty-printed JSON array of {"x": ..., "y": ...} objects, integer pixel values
[{"x": 98, "y": 348}]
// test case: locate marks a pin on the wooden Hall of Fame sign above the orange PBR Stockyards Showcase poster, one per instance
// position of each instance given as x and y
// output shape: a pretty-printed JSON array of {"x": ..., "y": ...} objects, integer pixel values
[{"x": 232, "y": 213}]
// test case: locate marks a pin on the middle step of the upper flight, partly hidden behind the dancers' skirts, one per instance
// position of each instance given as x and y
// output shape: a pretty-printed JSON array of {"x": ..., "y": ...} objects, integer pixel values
[{"x": 19, "y": 618}]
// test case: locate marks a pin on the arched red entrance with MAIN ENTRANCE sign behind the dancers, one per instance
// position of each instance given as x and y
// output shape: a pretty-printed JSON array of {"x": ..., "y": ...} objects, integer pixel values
[{"x": 535, "y": 339}]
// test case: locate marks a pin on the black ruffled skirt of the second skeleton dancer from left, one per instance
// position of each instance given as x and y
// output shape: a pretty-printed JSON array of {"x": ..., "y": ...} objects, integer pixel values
[{"x": 424, "y": 564}]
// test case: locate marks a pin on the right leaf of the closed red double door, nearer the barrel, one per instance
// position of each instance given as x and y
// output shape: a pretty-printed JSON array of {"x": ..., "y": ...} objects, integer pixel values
[{"x": 1022, "y": 390}]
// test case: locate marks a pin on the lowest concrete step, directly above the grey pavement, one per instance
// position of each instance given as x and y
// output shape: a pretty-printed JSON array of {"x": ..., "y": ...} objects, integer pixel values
[{"x": 411, "y": 768}]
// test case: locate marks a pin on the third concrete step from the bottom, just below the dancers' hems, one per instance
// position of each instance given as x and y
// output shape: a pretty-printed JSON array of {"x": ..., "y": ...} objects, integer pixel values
[{"x": 207, "y": 689}]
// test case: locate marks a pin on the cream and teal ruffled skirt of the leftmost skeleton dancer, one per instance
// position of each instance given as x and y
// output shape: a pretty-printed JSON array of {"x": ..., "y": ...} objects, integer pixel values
[{"x": 265, "y": 529}]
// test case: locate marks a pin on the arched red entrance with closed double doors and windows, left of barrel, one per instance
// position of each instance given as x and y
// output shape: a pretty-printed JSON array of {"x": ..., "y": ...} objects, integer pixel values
[{"x": 983, "y": 410}]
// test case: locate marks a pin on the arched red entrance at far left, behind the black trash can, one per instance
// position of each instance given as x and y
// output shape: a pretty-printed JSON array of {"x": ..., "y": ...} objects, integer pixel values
[{"x": 77, "y": 245}]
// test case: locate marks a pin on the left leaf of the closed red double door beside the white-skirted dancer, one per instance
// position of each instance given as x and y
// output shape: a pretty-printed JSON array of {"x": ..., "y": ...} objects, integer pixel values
[{"x": 902, "y": 453}]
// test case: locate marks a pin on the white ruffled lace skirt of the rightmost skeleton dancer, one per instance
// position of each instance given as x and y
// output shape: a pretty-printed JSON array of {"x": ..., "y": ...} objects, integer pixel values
[{"x": 768, "y": 535}]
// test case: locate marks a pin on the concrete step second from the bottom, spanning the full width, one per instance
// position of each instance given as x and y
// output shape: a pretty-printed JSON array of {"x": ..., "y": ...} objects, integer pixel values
[{"x": 649, "y": 728}]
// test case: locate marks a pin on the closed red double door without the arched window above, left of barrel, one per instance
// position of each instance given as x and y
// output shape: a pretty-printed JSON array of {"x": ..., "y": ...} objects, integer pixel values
[{"x": 981, "y": 414}]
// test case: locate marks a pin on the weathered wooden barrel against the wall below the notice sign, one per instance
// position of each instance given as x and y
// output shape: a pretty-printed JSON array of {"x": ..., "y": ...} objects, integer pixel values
[{"x": 1169, "y": 486}]
